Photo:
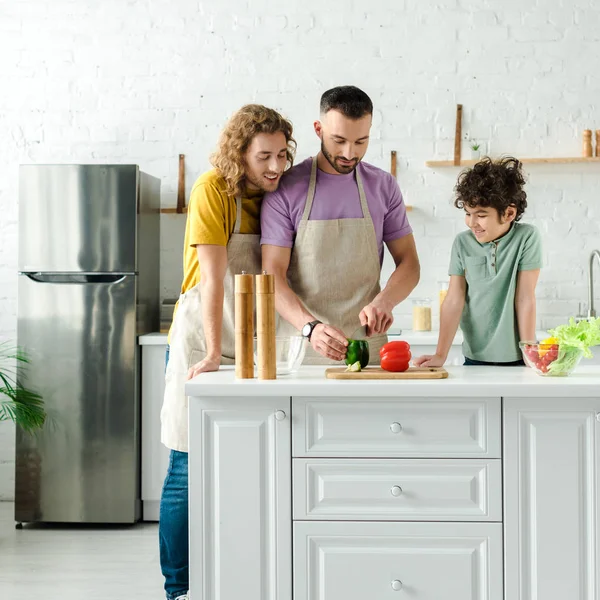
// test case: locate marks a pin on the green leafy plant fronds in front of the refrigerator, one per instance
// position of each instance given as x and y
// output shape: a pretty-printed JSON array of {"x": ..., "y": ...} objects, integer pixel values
[{"x": 18, "y": 403}]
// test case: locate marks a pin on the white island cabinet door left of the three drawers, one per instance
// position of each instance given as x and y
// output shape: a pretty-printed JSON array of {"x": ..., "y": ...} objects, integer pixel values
[{"x": 240, "y": 498}]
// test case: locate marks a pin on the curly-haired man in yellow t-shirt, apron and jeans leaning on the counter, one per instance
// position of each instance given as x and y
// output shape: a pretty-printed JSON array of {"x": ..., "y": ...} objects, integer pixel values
[{"x": 222, "y": 238}]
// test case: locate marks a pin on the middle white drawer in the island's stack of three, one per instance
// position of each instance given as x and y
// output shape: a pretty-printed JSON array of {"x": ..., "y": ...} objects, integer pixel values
[{"x": 406, "y": 490}]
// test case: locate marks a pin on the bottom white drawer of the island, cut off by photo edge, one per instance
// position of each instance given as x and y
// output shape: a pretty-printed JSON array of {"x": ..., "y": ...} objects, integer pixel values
[{"x": 424, "y": 561}]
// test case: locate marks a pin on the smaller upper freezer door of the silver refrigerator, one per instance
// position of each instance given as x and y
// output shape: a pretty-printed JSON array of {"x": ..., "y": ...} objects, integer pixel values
[{"x": 78, "y": 218}]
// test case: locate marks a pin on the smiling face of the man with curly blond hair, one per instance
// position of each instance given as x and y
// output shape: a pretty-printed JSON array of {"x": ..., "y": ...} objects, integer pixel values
[{"x": 265, "y": 160}]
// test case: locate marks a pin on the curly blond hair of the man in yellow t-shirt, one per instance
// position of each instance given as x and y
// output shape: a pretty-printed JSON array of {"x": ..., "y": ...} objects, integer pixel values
[{"x": 237, "y": 135}]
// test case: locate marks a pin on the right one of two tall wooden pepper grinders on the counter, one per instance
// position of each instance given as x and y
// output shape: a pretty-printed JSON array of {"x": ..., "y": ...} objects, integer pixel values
[{"x": 265, "y": 326}]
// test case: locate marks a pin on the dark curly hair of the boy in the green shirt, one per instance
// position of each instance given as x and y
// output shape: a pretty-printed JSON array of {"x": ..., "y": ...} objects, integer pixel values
[{"x": 498, "y": 184}]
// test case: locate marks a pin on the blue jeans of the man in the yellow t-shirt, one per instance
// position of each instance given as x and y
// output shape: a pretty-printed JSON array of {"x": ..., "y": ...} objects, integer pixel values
[{"x": 173, "y": 525}]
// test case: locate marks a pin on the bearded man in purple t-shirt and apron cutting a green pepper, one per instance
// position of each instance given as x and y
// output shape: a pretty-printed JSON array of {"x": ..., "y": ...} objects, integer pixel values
[{"x": 323, "y": 230}]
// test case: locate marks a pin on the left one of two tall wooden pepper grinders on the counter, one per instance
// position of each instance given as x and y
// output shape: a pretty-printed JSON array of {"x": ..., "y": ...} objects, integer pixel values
[{"x": 244, "y": 326}]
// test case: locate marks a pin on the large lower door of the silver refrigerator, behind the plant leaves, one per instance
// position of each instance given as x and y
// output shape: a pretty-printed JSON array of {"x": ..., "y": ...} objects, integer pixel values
[{"x": 79, "y": 332}]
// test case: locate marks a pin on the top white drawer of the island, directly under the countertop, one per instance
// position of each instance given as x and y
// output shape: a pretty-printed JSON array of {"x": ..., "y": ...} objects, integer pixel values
[{"x": 396, "y": 427}]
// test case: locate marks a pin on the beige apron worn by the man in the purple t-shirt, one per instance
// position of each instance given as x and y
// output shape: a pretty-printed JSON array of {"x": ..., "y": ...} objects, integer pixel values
[{"x": 335, "y": 271}]
